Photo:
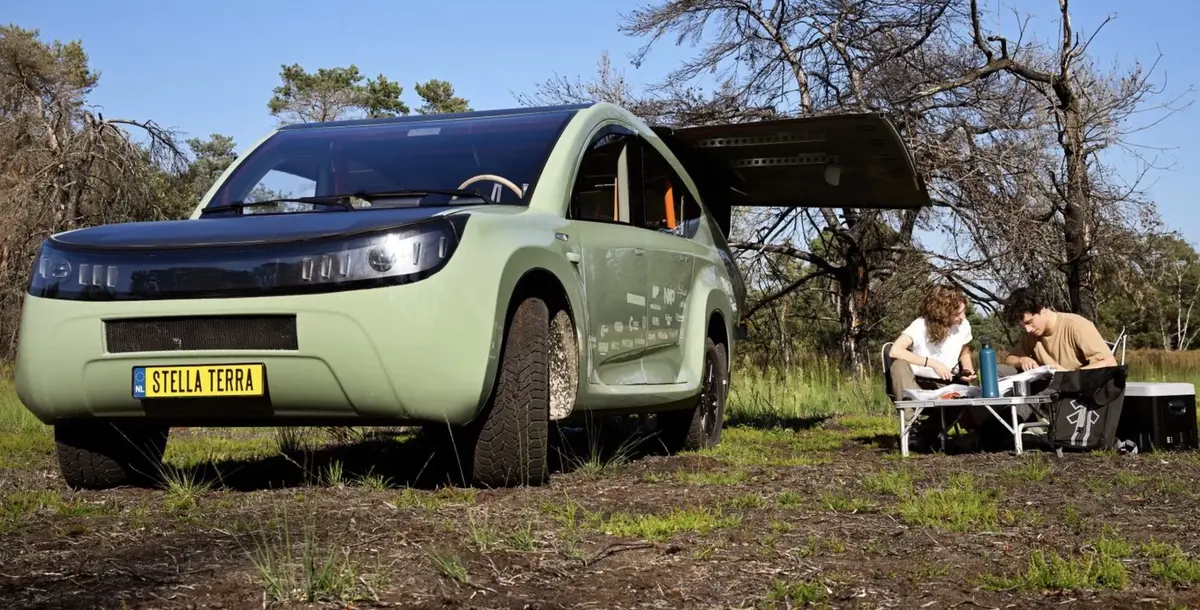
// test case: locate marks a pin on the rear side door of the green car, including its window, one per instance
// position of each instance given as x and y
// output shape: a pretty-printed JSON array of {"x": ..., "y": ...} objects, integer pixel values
[{"x": 669, "y": 213}]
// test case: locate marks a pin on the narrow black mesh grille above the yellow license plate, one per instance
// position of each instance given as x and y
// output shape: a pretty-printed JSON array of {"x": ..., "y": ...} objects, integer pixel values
[{"x": 196, "y": 333}]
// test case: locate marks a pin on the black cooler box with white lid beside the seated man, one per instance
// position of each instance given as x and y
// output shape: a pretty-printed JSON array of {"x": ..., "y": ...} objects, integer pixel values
[{"x": 1160, "y": 416}]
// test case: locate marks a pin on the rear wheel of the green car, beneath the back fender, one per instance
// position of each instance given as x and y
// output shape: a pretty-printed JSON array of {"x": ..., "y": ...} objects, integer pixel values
[{"x": 699, "y": 428}]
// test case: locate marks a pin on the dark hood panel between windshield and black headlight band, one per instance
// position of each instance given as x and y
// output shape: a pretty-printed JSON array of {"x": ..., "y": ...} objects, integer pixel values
[{"x": 245, "y": 231}]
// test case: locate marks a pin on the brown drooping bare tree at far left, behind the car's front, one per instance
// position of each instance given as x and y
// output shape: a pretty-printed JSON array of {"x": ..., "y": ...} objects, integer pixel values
[{"x": 63, "y": 166}]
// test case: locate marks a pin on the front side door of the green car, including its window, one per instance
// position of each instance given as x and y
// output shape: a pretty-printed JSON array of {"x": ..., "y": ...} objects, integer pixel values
[{"x": 613, "y": 259}]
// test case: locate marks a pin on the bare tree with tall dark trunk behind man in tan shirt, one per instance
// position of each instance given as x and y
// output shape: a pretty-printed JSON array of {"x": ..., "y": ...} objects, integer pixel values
[{"x": 1078, "y": 211}]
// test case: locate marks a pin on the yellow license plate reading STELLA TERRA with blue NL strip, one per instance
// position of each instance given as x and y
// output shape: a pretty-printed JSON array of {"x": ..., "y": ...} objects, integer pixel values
[{"x": 202, "y": 381}]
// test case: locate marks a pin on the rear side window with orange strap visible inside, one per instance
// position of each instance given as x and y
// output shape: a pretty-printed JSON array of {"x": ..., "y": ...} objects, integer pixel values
[{"x": 669, "y": 206}]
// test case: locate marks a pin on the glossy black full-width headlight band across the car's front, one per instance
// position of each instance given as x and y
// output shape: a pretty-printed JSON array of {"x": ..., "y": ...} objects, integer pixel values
[{"x": 363, "y": 261}]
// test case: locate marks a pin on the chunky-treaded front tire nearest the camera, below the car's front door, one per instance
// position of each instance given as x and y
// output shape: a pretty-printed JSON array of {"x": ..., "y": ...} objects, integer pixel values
[{"x": 512, "y": 445}]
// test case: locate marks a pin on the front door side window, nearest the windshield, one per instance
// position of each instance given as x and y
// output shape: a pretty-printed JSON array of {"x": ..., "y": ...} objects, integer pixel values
[{"x": 602, "y": 187}]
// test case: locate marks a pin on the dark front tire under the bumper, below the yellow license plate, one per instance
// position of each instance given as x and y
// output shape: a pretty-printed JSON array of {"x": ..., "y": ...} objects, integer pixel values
[{"x": 104, "y": 454}]
